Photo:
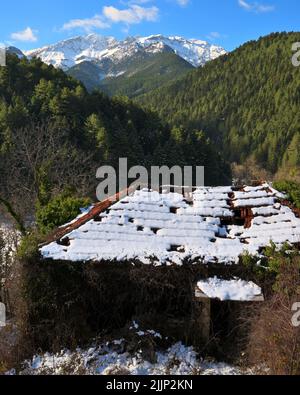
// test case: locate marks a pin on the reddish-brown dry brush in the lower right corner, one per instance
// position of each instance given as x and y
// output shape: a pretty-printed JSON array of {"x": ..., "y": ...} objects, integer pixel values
[{"x": 273, "y": 339}]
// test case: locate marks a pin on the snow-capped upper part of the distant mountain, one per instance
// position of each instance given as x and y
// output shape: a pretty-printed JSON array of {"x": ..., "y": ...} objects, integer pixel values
[{"x": 93, "y": 47}]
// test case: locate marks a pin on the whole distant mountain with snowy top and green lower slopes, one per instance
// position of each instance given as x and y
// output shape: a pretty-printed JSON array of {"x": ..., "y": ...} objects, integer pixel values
[{"x": 103, "y": 62}]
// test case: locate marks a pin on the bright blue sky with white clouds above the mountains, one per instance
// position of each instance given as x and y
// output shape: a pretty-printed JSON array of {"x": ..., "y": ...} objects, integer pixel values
[{"x": 33, "y": 23}]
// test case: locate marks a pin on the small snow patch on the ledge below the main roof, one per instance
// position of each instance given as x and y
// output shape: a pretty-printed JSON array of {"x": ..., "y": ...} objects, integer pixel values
[{"x": 234, "y": 290}]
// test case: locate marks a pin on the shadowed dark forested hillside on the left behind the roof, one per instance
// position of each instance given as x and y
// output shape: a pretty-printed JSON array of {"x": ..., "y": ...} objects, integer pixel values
[{"x": 54, "y": 135}]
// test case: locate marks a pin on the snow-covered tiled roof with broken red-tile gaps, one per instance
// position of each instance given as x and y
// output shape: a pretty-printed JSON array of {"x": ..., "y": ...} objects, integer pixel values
[{"x": 211, "y": 225}]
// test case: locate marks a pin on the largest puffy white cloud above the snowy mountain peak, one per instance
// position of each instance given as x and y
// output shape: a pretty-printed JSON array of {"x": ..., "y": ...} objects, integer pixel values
[{"x": 132, "y": 15}]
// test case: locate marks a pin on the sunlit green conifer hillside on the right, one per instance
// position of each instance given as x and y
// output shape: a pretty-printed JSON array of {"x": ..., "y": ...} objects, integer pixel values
[{"x": 248, "y": 102}]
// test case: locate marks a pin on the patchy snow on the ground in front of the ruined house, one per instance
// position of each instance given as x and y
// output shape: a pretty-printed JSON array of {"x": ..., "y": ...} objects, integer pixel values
[{"x": 104, "y": 360}]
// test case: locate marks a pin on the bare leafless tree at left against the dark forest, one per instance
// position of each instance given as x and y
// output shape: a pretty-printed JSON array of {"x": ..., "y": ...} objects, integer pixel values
[{"x": 41, "y": 156}]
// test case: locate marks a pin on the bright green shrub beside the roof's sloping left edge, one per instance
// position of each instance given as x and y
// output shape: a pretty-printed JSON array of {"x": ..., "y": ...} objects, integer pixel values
[{"x": 60, "y": 210}]
